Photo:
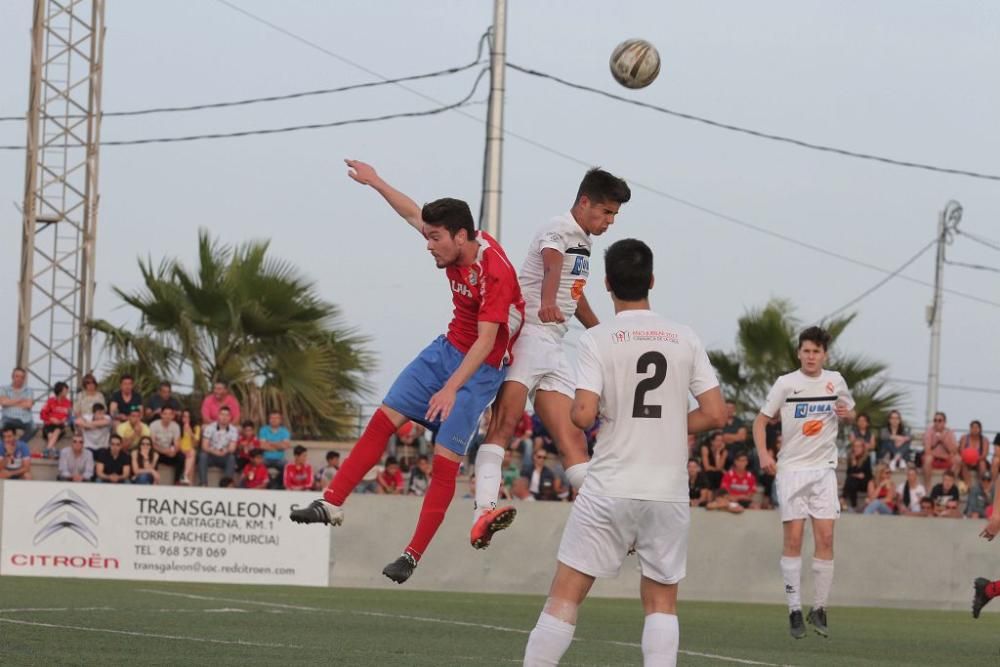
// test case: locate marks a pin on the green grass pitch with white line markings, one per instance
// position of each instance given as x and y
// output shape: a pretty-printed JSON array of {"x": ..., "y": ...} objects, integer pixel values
[{"x": 284, "y": 625}]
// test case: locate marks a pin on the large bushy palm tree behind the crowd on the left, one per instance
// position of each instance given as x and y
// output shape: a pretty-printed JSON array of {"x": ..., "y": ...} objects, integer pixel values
[{"x": 251, "y": 320}]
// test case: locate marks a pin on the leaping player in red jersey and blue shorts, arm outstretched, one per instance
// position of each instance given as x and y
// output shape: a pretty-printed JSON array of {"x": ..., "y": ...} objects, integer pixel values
[{"x": 452, "y": 381}]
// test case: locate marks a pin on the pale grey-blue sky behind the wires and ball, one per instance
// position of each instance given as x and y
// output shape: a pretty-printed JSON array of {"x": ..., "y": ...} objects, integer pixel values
[{"x": 909, "y": 79}]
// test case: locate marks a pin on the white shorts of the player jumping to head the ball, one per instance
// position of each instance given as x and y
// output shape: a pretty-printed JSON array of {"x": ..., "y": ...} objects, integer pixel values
[{"x": 540, "y": 362}]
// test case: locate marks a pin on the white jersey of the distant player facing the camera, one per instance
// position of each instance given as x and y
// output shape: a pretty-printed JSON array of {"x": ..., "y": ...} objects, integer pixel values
[{"x": 808, "y": 420}]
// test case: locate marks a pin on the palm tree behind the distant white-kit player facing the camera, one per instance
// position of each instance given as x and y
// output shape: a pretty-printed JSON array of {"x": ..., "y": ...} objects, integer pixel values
[{"x": 767, "y": 346}]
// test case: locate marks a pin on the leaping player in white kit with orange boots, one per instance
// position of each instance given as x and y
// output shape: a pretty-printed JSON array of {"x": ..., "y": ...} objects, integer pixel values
[{"x": 552, "y": 280}]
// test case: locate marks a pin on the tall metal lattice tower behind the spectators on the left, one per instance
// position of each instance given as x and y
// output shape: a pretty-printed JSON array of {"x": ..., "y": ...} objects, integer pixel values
[{"x": 60, "y": 190}]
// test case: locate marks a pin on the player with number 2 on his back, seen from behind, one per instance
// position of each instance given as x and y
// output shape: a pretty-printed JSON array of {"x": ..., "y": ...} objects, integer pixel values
[{"x": 638, "y": 371}]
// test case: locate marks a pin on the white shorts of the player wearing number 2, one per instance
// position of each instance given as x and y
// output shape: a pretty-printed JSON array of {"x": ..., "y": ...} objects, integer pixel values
[{"x": 601, "y": 530}]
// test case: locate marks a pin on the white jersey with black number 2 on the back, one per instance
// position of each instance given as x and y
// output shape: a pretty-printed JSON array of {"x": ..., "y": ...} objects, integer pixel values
[{"x": 643, "y": 367}]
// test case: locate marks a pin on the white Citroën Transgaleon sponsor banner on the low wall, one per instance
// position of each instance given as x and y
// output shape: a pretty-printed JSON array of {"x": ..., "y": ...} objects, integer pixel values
[{"x": 61, "y": 529}]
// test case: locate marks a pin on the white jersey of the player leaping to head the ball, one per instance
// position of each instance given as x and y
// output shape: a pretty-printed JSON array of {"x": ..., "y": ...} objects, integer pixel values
[{"x": 565, "y": 235}]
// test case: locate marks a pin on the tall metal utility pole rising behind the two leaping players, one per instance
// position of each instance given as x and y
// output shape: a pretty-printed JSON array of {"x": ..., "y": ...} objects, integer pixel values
[{"x": 494, "y": 122}]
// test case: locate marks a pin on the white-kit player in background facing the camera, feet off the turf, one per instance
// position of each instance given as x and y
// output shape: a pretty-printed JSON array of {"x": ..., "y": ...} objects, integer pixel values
[{"x": 812, "y": 401}]
